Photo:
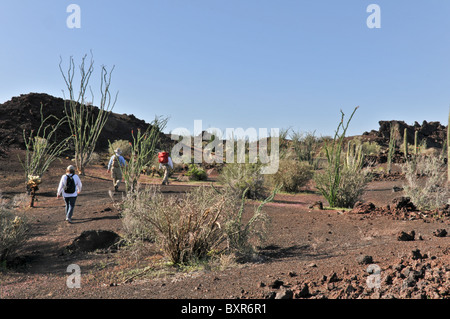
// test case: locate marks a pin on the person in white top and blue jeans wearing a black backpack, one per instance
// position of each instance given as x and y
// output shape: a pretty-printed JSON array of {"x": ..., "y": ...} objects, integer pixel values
[{"x": 69, "y": 187}]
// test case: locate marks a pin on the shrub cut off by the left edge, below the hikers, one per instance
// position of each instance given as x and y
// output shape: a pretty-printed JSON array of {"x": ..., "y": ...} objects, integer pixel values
[{"x": 13, "y": 231}]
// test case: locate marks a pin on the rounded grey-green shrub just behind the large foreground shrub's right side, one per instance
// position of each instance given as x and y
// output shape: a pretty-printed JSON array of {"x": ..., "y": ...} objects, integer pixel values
[{"x": 240, "y": 177}]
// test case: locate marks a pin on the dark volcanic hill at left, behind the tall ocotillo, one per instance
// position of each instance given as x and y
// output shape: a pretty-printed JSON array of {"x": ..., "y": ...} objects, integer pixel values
[{"x": 23, "y": 113}]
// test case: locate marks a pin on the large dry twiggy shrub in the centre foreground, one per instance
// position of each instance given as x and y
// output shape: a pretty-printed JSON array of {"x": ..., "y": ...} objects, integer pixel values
[{"x": 187, "y": 228}]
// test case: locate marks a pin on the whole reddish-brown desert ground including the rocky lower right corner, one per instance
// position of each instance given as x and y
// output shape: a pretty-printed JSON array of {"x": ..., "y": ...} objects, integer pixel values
[{"x": 309, "y": 253}]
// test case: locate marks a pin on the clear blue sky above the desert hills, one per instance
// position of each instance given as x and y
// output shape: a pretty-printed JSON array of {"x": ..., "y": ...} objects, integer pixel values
[{"x": 241, "y": 63}]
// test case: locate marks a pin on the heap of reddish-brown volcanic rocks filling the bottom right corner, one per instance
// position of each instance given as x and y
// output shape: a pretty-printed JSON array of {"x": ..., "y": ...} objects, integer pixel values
[{"x": 411, "y": 277}]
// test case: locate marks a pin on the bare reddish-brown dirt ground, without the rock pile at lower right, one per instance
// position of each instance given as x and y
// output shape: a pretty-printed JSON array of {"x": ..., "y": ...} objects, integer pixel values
[{"x": 303, "y": 245}]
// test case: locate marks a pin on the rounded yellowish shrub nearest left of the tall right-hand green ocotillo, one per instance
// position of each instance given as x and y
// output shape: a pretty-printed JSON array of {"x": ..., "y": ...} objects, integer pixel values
[{"x": 292, "y": 175}]
